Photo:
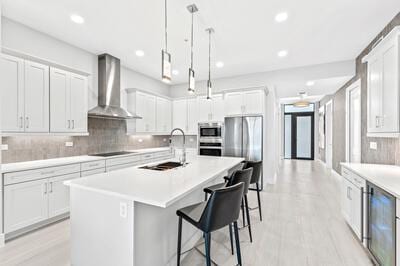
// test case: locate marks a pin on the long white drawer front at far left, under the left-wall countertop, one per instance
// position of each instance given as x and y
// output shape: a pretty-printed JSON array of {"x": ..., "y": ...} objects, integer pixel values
[{"x": 23, "y": 176}]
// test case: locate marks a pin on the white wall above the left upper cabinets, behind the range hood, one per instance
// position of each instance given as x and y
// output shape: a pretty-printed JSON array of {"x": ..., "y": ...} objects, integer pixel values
[{"x": 19, "y": 37}]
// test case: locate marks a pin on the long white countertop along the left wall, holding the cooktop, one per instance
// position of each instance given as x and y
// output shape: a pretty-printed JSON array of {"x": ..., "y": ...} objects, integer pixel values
[{"x": 29, "y": 165}]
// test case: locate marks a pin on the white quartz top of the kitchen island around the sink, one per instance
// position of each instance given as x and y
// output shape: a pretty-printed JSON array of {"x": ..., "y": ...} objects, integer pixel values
[{"x": 157, "y": 188}]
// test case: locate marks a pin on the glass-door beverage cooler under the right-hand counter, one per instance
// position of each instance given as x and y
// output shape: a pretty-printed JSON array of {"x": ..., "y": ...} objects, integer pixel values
[{"x": 381, "y": 226}]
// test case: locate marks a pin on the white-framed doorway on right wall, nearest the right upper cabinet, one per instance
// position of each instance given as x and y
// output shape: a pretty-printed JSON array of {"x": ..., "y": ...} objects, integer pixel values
[{"x": 353, "y": 122}]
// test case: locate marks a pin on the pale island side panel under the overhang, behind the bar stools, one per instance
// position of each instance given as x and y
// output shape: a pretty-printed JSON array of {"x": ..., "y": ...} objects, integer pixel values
[{"x": 156, "y": 230}]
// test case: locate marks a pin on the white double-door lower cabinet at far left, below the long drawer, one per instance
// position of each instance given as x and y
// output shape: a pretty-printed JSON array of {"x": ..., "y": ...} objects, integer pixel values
[{"x": 32, "y": 202}]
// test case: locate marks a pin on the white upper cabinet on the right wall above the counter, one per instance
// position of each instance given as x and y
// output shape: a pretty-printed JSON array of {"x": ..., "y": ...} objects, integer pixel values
[{"x": 383, "y": 78}]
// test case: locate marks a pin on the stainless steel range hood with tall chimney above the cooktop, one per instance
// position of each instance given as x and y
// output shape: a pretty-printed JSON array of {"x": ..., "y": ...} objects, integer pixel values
[{"x": 109, "y": 98}]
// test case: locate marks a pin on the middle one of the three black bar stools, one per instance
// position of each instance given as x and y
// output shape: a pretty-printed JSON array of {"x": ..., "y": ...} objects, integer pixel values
[{"x": 238, "y": 177}]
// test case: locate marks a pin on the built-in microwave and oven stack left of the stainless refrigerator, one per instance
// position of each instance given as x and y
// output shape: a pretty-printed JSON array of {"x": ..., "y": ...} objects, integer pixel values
[{"x": 211, "y": 140}]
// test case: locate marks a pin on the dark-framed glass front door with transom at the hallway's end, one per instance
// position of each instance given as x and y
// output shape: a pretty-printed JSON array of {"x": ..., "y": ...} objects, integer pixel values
[{"x": 299, "y": 132}]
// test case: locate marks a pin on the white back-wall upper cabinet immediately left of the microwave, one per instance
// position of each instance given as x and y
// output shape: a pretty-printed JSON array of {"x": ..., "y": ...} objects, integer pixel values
[{"x": 185, "y": 115}]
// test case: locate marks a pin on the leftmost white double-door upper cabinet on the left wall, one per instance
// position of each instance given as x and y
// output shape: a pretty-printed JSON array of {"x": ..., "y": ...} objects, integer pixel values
[{"x": 25, "y": 95}]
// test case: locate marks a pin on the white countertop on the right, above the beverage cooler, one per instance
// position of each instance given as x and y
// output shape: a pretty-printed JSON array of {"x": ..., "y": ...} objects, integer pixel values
[{"x": 384, "y": 176}]
